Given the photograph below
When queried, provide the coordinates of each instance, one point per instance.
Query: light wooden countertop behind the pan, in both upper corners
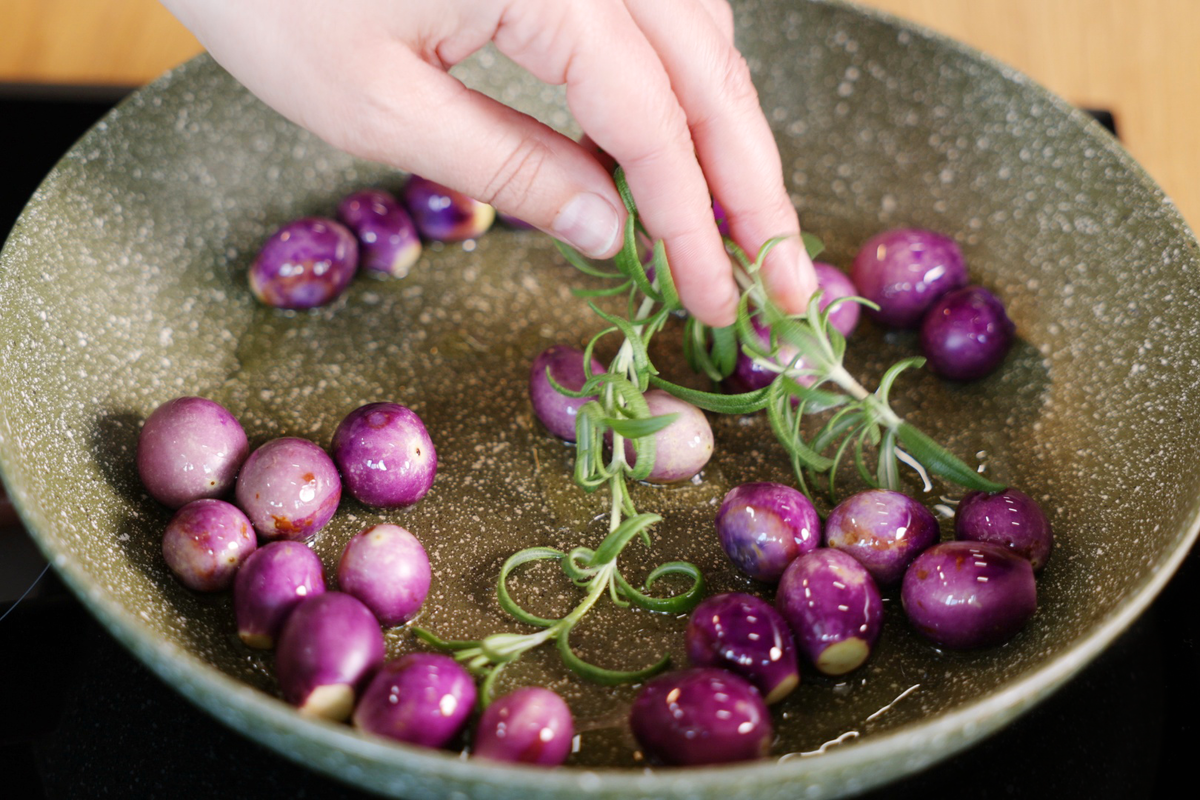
(1137, 58)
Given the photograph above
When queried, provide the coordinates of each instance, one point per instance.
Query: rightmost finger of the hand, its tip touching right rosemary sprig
(734, 141)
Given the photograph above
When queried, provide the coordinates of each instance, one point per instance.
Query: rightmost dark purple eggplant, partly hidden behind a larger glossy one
(1011, 519)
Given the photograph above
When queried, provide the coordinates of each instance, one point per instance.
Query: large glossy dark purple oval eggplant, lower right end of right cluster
(968, 596)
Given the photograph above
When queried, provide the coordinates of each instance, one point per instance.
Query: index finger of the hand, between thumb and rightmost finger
(622, 97)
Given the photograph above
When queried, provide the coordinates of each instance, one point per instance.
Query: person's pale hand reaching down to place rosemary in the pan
(657, 85)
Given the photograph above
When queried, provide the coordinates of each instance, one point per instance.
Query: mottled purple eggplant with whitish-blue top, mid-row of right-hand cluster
(884, 531)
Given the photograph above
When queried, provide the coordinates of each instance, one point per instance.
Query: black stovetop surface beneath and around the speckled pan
(80, 717)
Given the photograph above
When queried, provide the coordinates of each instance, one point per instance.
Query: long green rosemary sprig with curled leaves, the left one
(603, 425)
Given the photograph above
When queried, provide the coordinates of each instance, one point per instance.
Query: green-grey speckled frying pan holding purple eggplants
(124, 285)
